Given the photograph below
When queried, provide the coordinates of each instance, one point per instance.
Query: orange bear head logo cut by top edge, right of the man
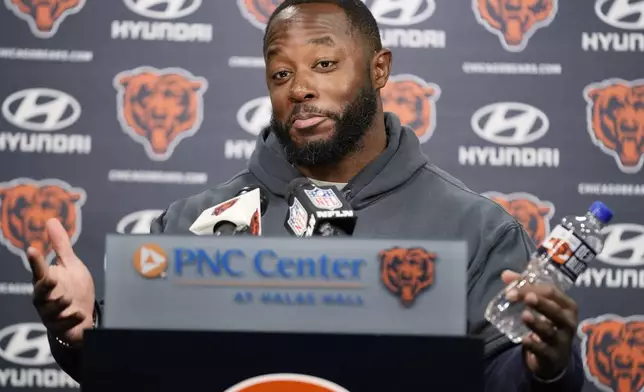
(514, 21)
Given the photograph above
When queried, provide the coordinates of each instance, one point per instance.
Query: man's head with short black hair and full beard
(324, 67)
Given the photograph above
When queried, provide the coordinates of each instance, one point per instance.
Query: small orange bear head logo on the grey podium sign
(407, 272)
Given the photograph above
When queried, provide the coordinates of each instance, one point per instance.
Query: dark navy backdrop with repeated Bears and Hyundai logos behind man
(538, 103)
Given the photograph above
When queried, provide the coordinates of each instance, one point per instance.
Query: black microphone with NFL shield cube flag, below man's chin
(318, 211)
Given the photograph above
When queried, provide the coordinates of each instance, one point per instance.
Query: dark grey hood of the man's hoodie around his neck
(400, 160)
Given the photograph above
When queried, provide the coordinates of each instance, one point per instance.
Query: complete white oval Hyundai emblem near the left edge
(41, 109)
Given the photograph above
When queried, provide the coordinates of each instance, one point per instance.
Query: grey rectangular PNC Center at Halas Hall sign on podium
(338, 285)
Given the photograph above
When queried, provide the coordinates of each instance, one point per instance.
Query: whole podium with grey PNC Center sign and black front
(261, 314)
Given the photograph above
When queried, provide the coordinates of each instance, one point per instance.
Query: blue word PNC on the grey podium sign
(219, 264)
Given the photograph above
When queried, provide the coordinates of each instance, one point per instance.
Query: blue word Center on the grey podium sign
(269, 265)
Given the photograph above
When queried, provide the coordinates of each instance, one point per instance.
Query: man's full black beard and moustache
(347, 138)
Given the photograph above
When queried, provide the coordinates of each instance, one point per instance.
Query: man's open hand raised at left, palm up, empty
(63, 293)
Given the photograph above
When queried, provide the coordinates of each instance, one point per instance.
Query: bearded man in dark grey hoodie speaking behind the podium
(324, 69)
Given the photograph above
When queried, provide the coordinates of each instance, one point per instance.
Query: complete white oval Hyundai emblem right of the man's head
(510, 123)
